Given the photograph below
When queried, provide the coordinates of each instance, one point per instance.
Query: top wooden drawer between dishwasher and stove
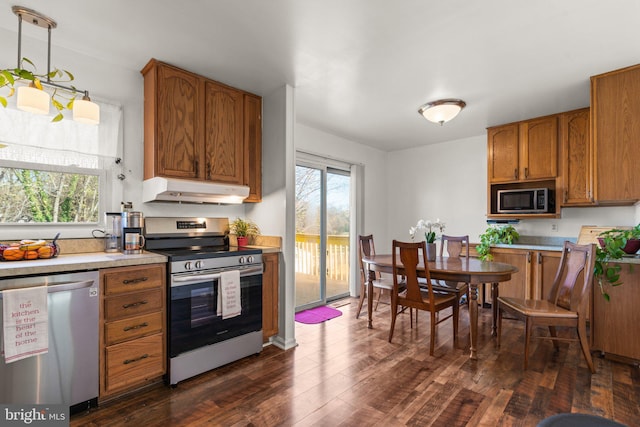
(133, 279)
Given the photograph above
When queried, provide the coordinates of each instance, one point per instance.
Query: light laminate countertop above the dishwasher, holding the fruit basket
(76, 262)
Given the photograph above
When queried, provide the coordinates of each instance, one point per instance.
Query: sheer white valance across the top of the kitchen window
(27, 129)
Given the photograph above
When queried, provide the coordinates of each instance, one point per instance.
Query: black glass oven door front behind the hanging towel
(193, 322)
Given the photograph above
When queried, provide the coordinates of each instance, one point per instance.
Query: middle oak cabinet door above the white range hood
(224, 142)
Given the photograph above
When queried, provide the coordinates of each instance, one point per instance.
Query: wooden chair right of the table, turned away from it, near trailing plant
(565, 306)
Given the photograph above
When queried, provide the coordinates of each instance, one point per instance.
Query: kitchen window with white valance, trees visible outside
(57, 177)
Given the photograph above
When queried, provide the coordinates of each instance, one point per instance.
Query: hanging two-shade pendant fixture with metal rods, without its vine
(34, 99)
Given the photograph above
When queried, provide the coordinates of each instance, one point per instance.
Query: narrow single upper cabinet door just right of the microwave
(577, 179)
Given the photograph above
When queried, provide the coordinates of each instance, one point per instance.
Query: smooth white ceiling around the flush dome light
(361, 68)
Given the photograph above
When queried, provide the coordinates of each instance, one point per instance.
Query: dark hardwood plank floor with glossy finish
(343, 374)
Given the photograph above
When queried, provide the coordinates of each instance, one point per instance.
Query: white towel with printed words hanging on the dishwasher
(26, 323)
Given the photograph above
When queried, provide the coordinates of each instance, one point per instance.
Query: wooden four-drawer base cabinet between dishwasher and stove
(133, 318)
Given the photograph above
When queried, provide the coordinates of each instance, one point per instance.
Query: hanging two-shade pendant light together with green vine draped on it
(33, 98)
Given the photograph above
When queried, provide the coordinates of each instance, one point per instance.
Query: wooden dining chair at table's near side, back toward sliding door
(406, 258)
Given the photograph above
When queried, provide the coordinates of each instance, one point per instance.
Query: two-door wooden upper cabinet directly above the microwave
(524, 151)
